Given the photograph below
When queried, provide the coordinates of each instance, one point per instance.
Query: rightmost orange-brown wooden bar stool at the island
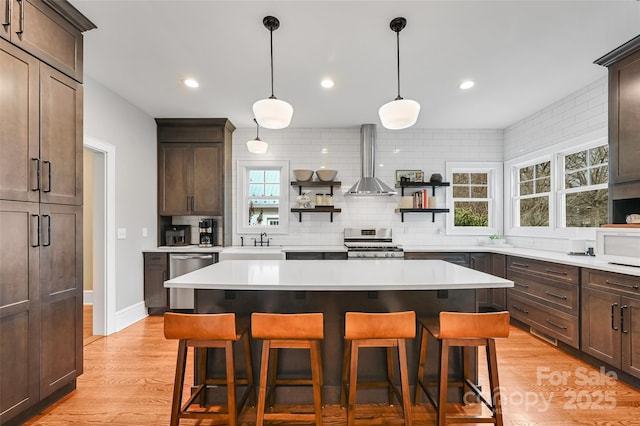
(465, 330)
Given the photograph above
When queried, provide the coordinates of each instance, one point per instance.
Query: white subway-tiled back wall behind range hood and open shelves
(421, 149)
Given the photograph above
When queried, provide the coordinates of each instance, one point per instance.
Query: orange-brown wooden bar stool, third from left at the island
(377, 330)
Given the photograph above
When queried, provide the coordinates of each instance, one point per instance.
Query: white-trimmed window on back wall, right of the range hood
(476, 198)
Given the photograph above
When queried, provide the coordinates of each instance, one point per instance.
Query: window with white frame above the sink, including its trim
(262, 196)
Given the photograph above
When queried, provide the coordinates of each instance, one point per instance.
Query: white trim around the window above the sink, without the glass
(243, 167)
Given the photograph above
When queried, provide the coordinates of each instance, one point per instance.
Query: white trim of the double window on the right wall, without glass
(591, 139)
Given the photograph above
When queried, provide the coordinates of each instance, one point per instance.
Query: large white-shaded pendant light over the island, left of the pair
(272, 113)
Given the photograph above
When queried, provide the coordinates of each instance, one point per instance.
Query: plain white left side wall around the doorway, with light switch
(111, 119)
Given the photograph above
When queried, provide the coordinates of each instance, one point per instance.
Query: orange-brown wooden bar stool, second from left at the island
(288, 331)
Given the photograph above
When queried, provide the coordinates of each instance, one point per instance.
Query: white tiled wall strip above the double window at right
(577, 114)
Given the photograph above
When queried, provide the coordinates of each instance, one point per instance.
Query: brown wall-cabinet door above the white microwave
(624, 120)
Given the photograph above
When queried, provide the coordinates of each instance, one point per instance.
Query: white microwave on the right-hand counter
(620, 245)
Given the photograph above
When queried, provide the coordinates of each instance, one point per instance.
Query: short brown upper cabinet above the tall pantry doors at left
(38, 26)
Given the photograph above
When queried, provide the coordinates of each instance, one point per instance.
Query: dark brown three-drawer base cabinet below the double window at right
(545, 297)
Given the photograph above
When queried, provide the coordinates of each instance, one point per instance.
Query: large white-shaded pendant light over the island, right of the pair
(399, 113)
